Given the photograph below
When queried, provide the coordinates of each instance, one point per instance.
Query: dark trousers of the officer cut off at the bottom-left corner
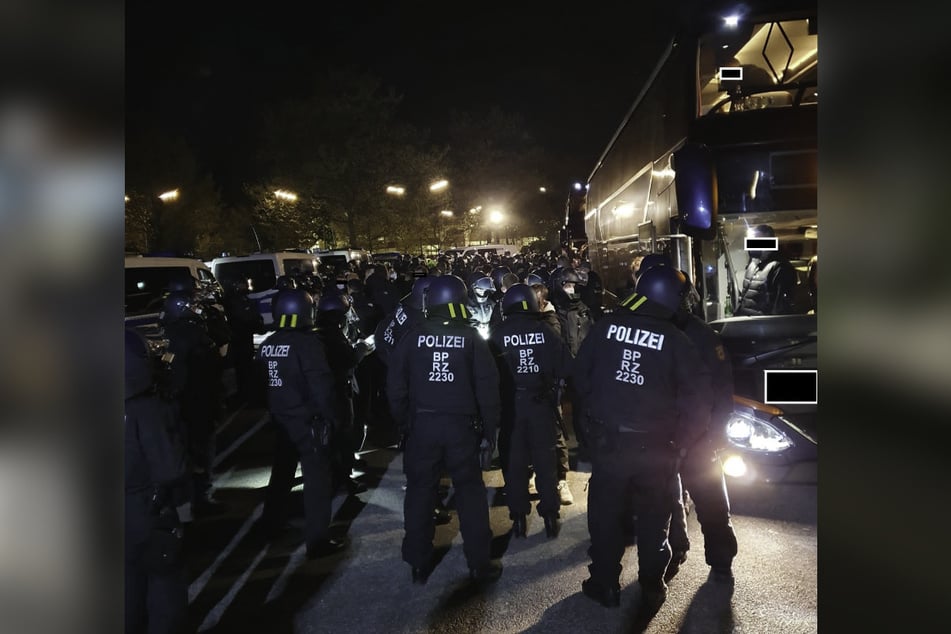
(155, 603)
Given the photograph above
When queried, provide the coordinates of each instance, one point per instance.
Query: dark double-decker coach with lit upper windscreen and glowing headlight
(721, 138)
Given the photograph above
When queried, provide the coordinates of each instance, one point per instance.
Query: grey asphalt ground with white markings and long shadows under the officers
(241, 583)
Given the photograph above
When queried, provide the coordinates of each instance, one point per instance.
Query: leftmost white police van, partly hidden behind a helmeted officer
(146, 283)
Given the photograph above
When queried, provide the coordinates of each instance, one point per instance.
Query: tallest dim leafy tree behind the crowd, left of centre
(341, 147)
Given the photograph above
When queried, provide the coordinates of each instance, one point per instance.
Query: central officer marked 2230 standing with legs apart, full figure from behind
(443, 388)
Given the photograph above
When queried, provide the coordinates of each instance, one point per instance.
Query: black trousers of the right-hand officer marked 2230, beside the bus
(625, 476)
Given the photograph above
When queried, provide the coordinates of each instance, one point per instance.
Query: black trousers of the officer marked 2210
(531, 441)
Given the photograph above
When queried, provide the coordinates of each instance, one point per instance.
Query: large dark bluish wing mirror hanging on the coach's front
(696, 187)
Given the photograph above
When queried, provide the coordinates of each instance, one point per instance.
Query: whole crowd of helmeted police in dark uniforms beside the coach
(469, 363)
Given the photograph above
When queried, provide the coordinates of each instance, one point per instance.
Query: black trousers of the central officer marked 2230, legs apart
(436, 442)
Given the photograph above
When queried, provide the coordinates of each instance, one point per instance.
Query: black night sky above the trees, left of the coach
(572, 71)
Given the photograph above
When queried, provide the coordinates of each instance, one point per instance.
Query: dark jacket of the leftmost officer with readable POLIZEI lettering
(300, 383)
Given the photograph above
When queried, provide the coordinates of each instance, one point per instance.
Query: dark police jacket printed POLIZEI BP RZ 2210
(532, 355)
